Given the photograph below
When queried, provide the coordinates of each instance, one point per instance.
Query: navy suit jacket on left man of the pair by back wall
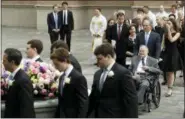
(51, 22)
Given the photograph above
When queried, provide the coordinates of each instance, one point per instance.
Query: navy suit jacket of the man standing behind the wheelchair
(154, 44)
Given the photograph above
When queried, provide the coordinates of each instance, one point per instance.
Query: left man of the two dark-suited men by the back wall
(54, 24)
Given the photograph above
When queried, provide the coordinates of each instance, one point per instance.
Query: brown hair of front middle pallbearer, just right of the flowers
(61, 55)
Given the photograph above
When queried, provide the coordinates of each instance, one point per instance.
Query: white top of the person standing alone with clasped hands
(98, 25)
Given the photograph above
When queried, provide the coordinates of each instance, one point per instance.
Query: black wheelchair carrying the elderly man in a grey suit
(153, 92)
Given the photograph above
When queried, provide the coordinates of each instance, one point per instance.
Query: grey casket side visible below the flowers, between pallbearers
(43, 108)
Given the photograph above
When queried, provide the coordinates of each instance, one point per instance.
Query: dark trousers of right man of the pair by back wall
(66, 33)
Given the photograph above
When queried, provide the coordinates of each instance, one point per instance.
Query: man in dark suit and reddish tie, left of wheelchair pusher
(119, 33)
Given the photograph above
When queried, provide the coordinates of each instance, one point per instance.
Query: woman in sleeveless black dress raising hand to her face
(172, 61)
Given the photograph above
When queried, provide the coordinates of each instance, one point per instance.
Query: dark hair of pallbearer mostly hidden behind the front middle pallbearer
(59, 44)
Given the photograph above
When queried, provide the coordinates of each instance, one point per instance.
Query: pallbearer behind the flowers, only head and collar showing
(34, 49)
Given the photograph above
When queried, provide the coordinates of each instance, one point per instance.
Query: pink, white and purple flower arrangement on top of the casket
(42, 75)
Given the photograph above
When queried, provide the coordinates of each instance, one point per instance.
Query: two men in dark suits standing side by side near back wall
(60, 23)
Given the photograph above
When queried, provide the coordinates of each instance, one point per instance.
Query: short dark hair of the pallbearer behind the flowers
(34, 43)
